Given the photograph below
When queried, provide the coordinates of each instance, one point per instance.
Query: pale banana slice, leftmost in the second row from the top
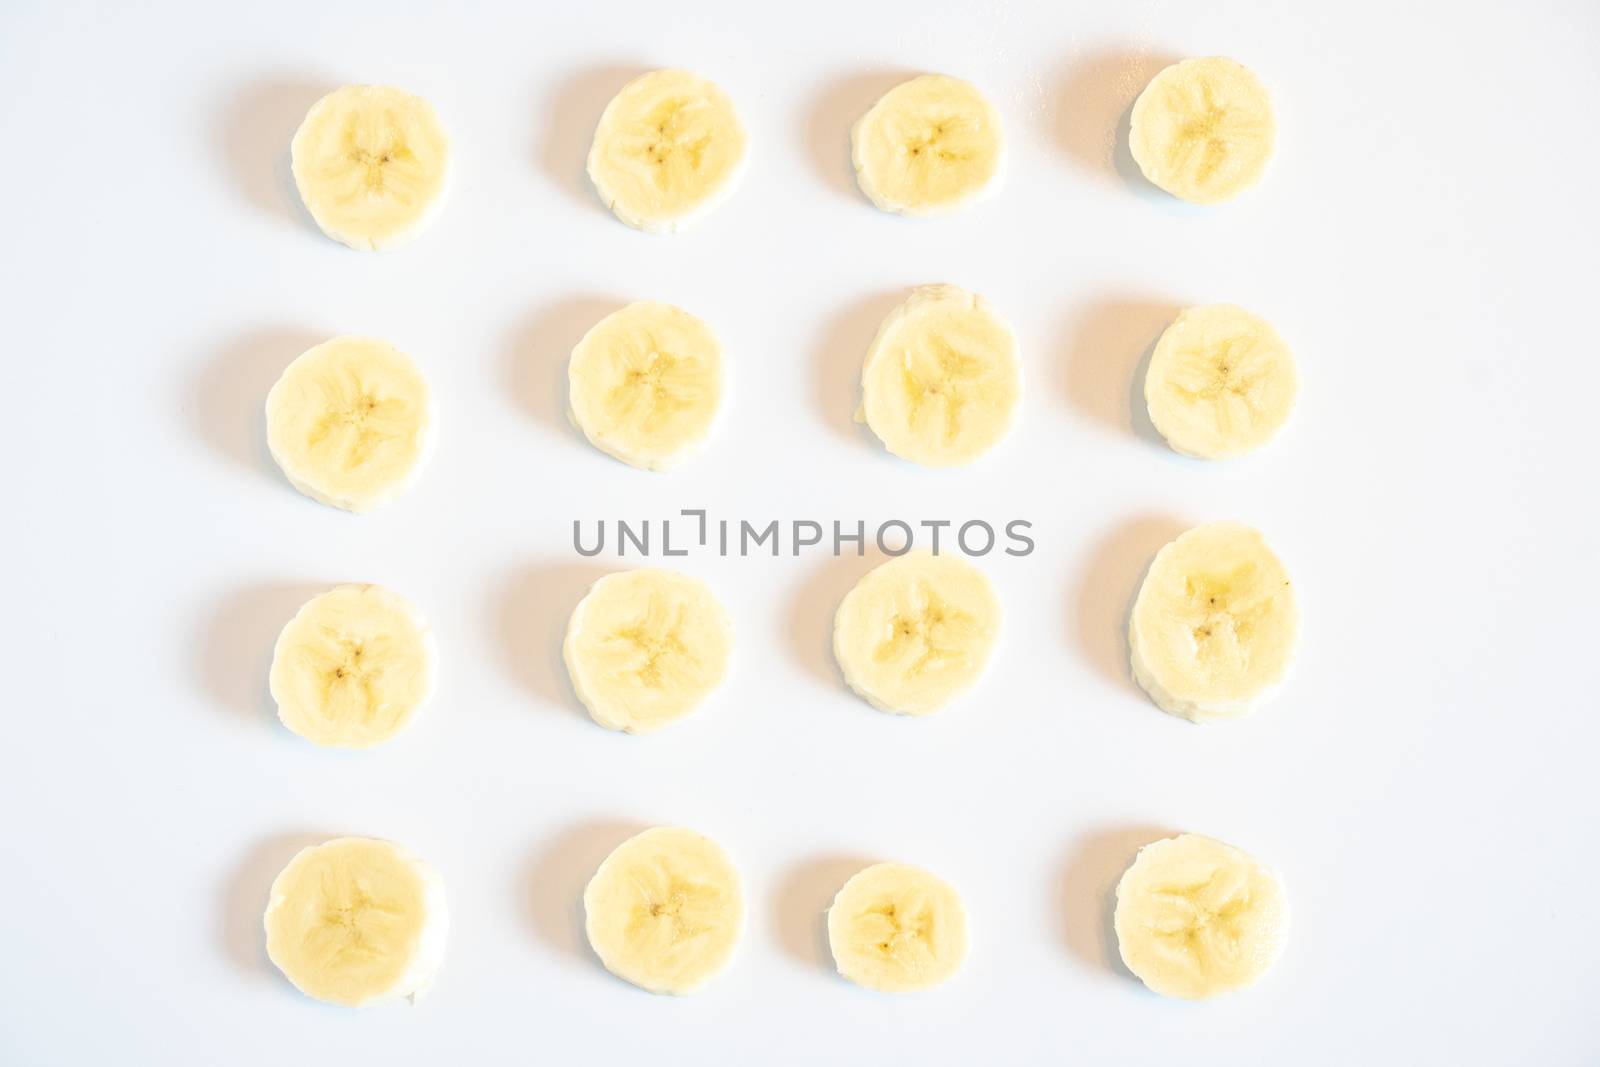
(351, 423)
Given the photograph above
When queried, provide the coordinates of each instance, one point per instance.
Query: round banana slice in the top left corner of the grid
(372, 166)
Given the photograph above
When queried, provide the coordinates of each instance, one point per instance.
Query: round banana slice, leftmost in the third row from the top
(353, 668)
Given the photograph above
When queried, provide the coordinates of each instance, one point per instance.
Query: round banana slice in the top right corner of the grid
(1204, 130)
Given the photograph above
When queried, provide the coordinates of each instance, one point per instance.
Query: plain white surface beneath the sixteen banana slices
(1426, 239)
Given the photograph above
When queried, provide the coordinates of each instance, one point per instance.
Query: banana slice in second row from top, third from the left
(942, 380)
